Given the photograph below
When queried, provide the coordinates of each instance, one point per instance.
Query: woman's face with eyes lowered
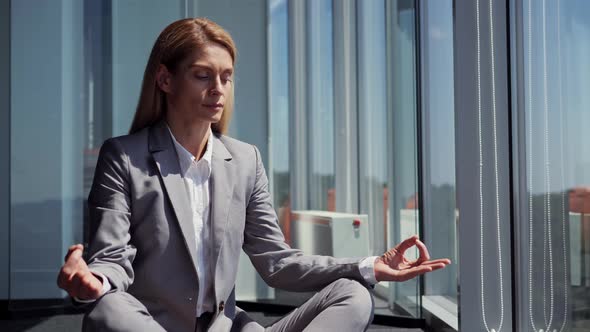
(201, 85)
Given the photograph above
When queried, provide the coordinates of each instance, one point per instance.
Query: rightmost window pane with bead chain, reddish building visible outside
(556, 42)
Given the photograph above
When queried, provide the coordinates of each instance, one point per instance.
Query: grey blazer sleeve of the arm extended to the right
(279, 265)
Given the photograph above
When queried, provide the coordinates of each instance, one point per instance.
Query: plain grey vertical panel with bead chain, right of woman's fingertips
(483, 160)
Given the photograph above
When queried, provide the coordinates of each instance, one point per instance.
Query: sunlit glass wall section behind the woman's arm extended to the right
(372, 76)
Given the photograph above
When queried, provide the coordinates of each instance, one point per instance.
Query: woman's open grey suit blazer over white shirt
(142, 237)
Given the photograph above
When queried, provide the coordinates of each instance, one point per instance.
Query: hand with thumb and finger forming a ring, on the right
(393, 266)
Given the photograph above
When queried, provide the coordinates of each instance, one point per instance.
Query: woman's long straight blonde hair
(174, 44)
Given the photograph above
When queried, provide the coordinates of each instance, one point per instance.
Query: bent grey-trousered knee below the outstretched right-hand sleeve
(357, 298)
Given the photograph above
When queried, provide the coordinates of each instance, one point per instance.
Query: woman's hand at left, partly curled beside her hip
(75, 277)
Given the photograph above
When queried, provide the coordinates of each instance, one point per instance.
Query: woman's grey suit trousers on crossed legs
(344, 305)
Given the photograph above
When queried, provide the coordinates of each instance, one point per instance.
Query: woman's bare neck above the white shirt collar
(193, 136)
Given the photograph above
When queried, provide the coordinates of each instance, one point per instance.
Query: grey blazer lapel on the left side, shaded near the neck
(162, 148)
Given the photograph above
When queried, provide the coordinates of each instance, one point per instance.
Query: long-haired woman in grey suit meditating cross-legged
(174, 202)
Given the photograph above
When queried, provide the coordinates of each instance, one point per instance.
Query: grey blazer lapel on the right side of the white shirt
(222, 186)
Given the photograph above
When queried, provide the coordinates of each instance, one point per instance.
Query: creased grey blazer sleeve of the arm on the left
(109, 204)
